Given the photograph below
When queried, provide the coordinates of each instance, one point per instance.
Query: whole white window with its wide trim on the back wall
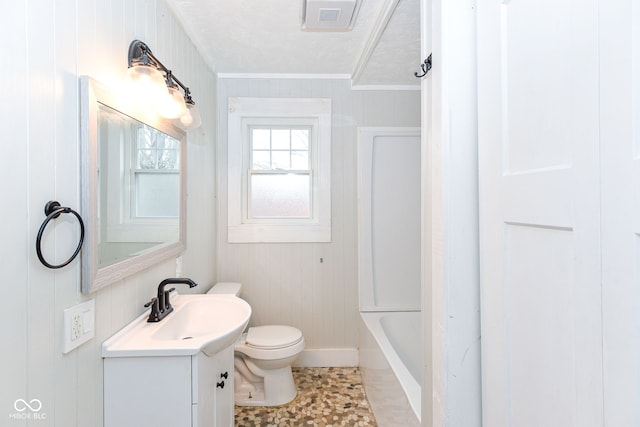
(279, 170)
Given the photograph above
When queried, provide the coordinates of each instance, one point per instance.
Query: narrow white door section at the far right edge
(620, 158)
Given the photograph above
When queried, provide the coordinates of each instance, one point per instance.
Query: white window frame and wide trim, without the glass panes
(247, 113)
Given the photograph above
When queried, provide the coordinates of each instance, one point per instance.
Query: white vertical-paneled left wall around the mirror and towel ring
(46, 46)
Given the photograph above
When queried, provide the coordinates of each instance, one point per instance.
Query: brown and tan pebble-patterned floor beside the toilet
(327, 397)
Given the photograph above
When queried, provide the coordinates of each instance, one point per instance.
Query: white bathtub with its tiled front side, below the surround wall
(390, 364)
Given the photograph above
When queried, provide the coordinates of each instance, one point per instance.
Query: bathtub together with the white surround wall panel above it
(389, 268)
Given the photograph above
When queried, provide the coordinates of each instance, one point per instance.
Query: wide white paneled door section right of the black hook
(539, 177)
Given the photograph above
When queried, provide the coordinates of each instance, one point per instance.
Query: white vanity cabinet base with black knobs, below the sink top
(169, 391)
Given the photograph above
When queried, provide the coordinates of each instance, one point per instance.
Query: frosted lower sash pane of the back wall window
(280, 196)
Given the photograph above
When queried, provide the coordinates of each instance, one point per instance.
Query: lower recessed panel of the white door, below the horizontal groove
(539, 295)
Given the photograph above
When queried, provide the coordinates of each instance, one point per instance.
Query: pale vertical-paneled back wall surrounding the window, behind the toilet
(312, 286)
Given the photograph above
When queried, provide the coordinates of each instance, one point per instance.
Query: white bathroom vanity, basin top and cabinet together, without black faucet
(176, 372)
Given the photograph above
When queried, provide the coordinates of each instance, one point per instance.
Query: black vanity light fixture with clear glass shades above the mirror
(156, 85)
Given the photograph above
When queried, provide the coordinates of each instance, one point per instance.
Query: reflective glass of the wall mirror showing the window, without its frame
(141, 191)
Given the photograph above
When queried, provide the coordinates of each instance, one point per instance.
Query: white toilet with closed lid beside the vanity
(263, 357)
